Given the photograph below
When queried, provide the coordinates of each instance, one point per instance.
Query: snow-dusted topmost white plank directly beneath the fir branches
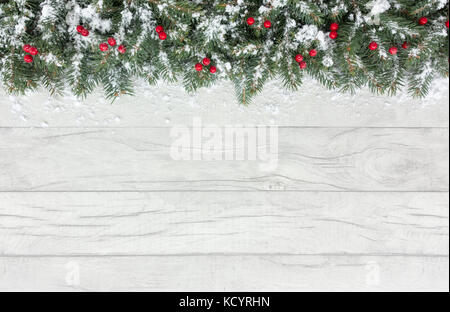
(162, 104)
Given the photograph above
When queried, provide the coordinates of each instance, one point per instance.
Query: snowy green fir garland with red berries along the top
(78, 45)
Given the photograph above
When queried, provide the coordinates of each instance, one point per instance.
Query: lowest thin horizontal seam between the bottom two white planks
(181, 255)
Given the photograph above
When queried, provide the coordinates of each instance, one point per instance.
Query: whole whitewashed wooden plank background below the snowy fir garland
(90, 199)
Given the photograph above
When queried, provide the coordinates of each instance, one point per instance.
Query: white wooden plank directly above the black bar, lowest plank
(219, 273)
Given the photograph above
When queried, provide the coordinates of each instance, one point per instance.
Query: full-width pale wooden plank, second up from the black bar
(306, 223)
